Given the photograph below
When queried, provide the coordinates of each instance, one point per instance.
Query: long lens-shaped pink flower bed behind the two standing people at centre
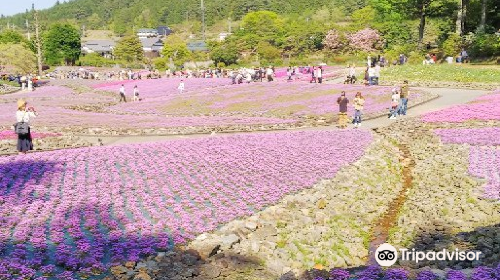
(278, 99)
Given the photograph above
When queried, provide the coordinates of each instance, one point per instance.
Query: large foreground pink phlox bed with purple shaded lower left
(88, 208)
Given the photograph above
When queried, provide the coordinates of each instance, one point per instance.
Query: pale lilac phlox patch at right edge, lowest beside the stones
(484, 162)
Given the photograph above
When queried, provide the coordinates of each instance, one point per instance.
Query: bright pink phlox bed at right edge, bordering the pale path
(483, 108)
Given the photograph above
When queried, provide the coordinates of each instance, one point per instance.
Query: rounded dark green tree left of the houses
(62, 44)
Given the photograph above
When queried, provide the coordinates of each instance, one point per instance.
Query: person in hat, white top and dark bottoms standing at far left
(23, 116)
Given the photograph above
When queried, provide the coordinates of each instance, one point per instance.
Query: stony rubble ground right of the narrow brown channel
(445, 208)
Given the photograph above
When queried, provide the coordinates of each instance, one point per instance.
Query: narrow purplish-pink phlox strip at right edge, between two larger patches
(473, 136)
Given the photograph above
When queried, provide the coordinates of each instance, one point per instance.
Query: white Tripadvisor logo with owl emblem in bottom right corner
(387, 255)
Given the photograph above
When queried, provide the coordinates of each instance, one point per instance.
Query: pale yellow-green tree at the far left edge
(17, 58)
